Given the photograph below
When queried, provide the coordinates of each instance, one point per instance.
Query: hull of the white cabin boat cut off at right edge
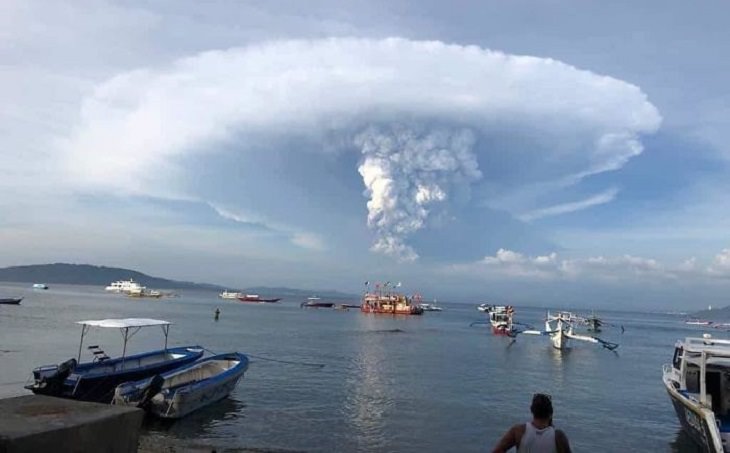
(696, 422)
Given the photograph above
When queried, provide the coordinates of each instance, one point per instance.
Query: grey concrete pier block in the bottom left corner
(37, 423)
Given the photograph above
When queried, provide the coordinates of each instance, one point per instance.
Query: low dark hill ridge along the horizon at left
(87, 274)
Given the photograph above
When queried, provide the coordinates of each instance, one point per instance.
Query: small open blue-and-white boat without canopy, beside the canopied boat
(177, 393)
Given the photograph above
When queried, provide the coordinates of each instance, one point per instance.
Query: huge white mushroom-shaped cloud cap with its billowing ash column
(136, 128)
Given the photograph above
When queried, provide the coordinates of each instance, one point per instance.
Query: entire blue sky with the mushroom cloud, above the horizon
(544, 152)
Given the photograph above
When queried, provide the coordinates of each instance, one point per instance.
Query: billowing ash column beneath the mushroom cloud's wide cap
(409, 175)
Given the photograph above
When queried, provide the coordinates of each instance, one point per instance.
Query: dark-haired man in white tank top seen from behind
(537, 436)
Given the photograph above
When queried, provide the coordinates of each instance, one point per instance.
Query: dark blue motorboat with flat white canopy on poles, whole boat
(96, 380)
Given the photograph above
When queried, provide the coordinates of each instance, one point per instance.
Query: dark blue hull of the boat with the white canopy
(96, 381)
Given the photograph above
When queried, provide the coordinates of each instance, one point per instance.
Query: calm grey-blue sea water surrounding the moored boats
(421, 383)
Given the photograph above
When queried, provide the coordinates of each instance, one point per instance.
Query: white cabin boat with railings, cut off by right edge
(698, 383)
